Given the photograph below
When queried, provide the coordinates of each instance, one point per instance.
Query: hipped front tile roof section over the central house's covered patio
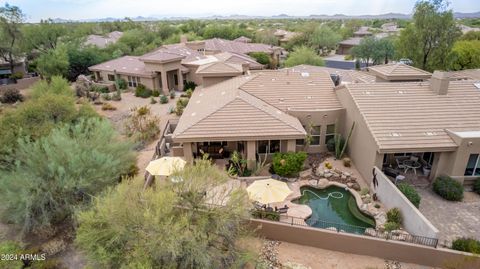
(234, 114)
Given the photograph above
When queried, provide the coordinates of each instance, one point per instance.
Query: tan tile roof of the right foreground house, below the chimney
(410, 116)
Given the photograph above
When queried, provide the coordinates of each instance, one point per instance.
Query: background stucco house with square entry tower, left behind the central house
(170, 66)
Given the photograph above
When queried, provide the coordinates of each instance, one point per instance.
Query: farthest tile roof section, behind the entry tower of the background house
(222, 45)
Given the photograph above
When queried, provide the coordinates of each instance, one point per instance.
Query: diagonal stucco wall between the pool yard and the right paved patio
(413, 221)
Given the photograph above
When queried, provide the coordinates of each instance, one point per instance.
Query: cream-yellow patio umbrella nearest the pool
(268, 191)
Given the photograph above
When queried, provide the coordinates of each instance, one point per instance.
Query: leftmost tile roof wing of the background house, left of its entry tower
(128, 65)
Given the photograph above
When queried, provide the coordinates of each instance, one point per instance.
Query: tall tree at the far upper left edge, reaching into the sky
(11, 19)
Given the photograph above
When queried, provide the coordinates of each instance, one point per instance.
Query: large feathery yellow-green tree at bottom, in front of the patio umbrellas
(193, 223)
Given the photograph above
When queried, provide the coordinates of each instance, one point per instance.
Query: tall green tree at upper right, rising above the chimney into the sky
(429, 39)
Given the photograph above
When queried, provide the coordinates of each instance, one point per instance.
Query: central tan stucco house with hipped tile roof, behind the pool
(259, 114)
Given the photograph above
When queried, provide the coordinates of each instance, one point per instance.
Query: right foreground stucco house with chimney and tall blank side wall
(435, 121)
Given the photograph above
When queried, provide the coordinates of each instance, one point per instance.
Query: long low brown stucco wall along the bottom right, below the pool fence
(362, 245)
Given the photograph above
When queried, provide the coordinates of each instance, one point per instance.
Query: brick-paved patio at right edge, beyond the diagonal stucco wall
(452, 219)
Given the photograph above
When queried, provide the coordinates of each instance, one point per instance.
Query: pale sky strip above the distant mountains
(87, 9)
